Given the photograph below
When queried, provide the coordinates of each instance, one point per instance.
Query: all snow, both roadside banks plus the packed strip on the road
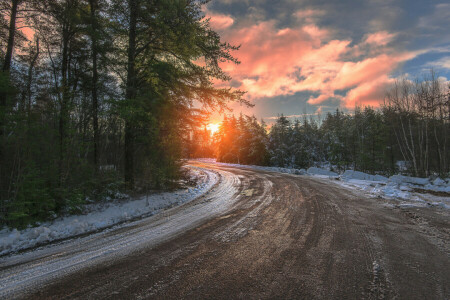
(33, 269)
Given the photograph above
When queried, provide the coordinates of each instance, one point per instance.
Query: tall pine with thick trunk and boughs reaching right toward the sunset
(165, 40)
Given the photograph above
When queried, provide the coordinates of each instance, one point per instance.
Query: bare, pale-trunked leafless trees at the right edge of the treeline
(418, 112)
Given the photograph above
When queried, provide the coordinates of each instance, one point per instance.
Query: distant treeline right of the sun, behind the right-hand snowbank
(410, 133)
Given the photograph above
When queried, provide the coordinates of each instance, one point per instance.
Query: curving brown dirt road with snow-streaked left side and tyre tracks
(256, 234)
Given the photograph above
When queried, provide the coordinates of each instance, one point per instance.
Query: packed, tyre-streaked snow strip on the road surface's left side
(33, 269)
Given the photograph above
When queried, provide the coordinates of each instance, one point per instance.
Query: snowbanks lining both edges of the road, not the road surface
(103, 216)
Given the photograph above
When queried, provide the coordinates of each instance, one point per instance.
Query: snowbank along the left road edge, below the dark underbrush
(105, 215)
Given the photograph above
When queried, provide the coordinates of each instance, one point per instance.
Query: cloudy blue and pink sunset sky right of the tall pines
(303, 57)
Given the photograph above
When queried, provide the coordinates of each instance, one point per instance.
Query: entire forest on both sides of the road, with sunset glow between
(100, 96)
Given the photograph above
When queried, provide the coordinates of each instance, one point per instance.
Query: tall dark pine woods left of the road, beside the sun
(100, 94)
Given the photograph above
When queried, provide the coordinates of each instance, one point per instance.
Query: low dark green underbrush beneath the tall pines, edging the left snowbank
(37, 200)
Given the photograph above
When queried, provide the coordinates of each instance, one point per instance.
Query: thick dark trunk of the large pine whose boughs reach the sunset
(130, 93)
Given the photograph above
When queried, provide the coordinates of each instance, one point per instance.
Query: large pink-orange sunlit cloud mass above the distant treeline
(284, 61)
